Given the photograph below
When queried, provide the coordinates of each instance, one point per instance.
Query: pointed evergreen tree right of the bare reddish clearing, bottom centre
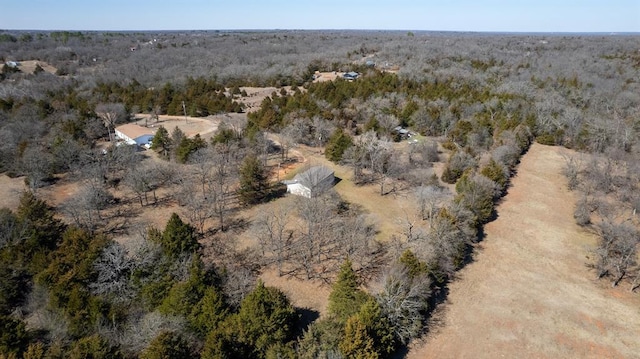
(346, 297)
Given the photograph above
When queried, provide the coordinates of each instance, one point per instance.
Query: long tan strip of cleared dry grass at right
(529, 293)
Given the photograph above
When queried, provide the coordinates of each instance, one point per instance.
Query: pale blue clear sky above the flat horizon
(444, 15)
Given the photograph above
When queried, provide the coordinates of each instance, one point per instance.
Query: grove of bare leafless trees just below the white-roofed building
(308, 238)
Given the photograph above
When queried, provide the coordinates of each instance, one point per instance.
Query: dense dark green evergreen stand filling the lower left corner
(84, 295)
